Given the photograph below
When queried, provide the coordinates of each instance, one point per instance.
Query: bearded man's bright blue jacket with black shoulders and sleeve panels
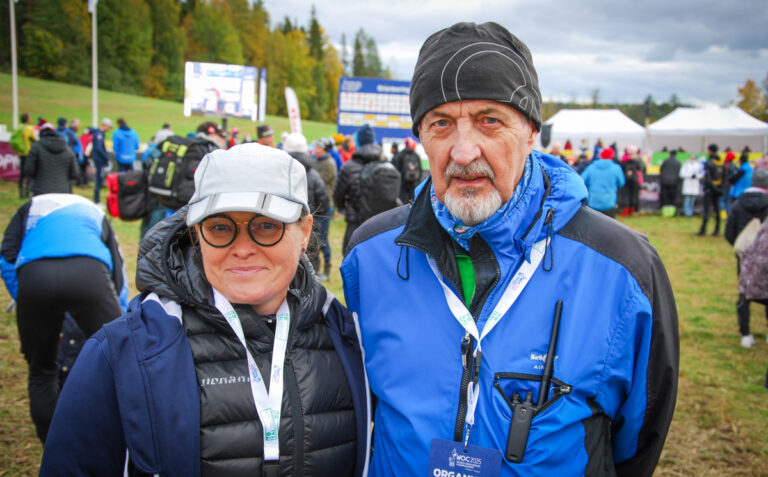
(617, 346)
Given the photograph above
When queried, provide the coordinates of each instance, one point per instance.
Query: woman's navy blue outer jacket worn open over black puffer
(134, 385)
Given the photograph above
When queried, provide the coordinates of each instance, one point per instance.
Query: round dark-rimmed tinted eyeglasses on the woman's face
(220, 230)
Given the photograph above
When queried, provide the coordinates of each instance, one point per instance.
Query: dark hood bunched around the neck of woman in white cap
(170, 265)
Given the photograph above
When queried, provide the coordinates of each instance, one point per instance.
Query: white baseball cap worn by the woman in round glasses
(249, 178)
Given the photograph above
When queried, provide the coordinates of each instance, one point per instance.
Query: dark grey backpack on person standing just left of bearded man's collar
(379, 189)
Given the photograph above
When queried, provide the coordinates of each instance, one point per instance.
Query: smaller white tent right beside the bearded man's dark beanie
(591, 125)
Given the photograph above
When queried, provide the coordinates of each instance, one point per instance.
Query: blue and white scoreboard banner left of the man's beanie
(381, 103)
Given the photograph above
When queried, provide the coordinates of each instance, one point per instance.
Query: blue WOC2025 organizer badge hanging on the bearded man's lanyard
(449, 459)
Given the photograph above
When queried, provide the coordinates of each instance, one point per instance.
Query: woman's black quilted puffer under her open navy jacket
(317, 427)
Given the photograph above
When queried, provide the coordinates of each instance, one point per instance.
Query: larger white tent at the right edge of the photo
(694, 128)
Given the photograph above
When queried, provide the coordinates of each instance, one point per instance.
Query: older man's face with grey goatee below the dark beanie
(477, 151)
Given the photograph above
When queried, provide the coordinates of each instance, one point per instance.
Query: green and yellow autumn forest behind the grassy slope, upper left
(143, 44)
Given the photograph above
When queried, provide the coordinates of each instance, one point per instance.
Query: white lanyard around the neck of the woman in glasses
(268, 405)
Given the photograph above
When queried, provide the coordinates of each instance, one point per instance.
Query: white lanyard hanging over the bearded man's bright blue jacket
(464, 317)
